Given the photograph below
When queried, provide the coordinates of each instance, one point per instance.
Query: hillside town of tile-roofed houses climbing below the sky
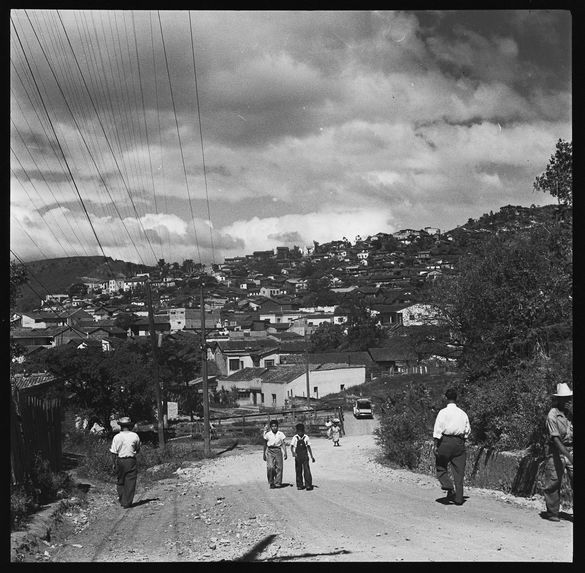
(260, 310)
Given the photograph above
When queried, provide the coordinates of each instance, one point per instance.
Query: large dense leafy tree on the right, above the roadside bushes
(507, 297)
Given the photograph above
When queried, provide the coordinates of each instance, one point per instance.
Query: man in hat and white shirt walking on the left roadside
(125, 446)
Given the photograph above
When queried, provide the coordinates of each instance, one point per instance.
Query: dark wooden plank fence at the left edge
(35, 428)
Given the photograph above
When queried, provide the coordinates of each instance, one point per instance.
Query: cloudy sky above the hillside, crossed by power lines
(315, 126)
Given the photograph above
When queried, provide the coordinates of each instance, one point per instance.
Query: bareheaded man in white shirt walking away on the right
(449, 434)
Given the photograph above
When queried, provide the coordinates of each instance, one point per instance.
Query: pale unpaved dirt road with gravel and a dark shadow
(222, 509)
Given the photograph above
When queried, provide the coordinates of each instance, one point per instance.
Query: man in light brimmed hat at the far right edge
(559, 451)
